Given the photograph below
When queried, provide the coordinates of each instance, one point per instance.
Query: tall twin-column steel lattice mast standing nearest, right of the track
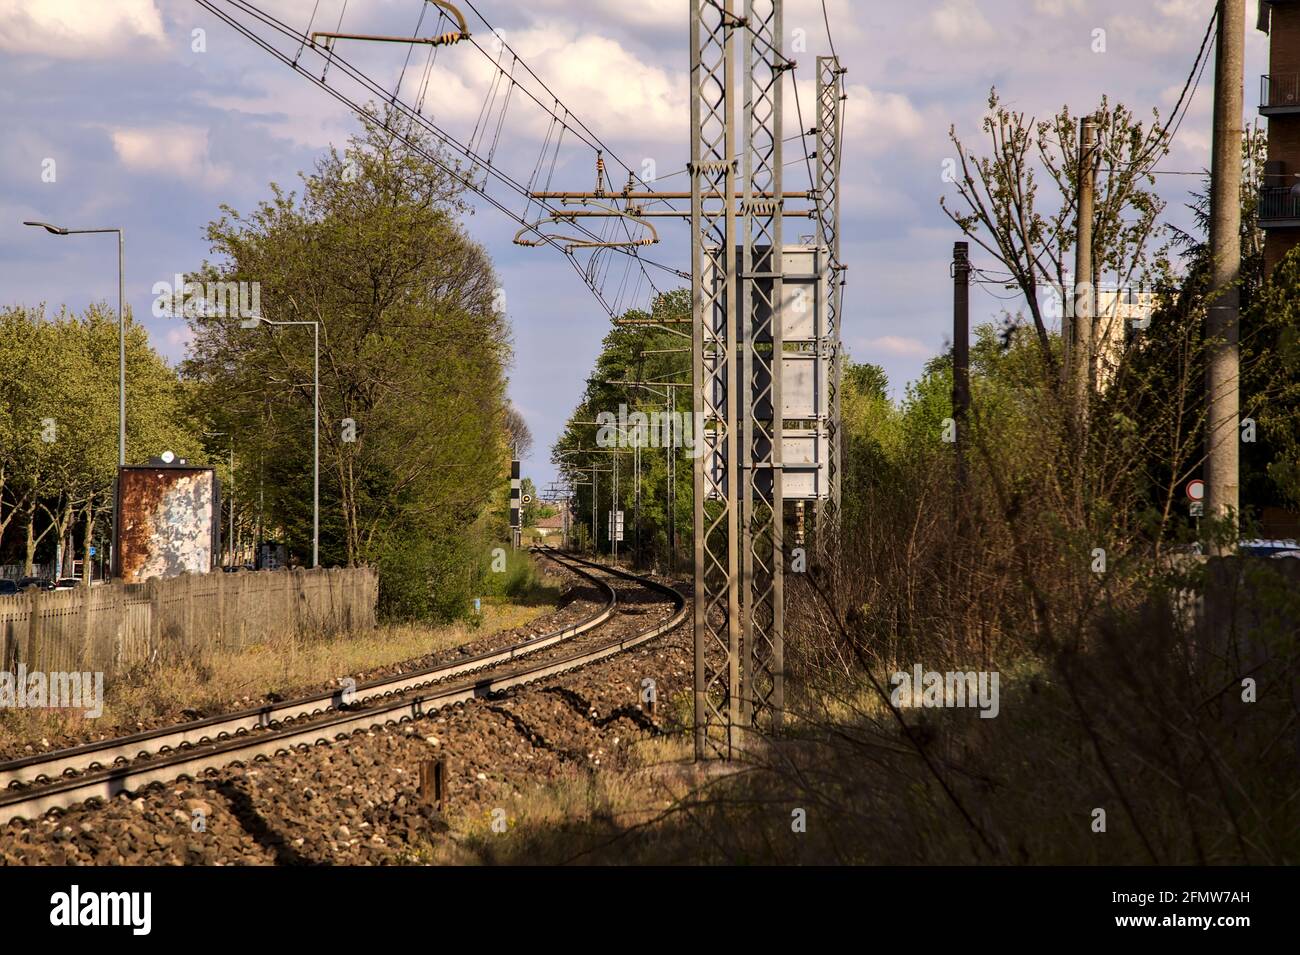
(736, 286)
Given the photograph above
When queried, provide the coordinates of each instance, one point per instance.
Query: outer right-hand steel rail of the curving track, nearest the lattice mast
(105, 784)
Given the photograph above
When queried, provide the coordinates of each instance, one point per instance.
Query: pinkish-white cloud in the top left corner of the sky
(77, 29)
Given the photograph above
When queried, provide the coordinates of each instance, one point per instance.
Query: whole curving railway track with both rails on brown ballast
(103, 770)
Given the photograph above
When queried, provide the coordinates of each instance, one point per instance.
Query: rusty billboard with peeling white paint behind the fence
(168, 522)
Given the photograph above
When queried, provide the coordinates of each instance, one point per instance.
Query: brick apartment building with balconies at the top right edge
(1280, 102)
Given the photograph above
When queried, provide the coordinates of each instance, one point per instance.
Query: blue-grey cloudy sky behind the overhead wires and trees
(149, 115)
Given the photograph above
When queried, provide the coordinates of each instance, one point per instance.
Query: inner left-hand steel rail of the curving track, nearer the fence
(47, 766)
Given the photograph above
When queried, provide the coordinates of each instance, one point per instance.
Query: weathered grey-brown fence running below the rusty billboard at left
(115, 627)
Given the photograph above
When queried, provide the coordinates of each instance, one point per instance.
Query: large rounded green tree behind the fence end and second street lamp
(415, 426)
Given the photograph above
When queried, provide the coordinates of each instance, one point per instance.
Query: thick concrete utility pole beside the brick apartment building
(1221, 325)
